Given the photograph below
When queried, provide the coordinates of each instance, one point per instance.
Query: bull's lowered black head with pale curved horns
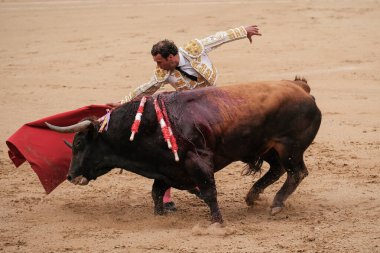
(87, 155)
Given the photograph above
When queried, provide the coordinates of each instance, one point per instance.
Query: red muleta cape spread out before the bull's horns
(44, 149)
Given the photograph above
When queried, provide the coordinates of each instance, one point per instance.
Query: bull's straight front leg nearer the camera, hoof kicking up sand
(200, 167)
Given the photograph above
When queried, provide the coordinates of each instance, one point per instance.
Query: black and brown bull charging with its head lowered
(265, 121)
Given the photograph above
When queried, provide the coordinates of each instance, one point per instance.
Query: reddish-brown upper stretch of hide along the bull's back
(229, 106)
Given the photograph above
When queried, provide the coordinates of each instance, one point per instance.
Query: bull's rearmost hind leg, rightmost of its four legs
(296, 170)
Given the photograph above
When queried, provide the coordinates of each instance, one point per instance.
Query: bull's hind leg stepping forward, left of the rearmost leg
(273, 174)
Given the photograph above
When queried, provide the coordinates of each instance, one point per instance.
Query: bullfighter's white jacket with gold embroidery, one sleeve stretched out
(195, 51)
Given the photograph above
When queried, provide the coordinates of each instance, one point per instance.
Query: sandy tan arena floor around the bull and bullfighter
(60, 55)
